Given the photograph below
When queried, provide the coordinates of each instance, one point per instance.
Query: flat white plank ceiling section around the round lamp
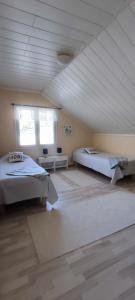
(33, 31)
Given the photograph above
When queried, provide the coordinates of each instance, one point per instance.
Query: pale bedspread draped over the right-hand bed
(101, 163)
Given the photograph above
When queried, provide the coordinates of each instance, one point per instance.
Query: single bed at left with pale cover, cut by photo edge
(24, 180)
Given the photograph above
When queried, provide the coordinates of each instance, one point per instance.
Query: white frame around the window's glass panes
(37, 129)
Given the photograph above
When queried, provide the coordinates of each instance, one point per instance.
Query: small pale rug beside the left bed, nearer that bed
(60, 184)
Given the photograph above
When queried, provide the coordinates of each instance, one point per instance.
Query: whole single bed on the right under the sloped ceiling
(115, 167)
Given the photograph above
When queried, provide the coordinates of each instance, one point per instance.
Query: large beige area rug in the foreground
(61, 231)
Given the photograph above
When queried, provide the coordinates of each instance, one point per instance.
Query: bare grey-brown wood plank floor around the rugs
(101, 271)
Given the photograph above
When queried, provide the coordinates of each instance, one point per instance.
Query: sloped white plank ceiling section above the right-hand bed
(99, 85)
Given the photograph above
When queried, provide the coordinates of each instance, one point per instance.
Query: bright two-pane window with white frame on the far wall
(35, 126)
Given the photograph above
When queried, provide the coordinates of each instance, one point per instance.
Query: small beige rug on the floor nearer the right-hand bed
(80, 178)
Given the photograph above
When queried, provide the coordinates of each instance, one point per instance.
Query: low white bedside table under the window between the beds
(53, 161)
